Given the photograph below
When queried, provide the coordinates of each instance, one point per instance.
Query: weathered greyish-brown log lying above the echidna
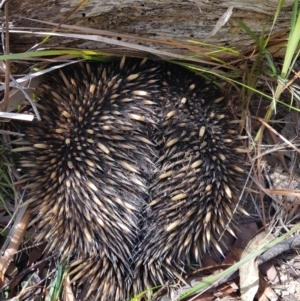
(177, 19)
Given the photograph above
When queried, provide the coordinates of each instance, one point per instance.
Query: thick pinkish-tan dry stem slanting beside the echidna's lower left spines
(14, 244)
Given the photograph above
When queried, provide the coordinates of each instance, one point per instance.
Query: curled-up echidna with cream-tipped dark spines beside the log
(133, 171)
